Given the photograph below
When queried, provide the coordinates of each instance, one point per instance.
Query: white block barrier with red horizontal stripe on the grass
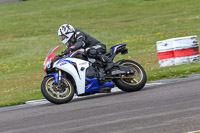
(178, 51)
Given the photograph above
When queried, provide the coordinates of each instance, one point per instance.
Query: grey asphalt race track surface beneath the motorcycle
(172, 107)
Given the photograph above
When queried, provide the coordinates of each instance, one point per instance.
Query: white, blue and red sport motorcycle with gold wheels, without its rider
(78, 74)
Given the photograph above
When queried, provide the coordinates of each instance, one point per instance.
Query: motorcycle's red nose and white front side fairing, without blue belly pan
(69, 65)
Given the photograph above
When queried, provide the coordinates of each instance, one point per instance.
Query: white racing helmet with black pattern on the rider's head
(65, 32)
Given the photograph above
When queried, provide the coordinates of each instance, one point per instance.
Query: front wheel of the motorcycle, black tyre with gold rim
(54, 94)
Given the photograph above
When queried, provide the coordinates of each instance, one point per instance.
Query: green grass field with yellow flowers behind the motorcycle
(29, 29)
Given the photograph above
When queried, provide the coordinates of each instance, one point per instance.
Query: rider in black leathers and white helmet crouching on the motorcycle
(75, 39)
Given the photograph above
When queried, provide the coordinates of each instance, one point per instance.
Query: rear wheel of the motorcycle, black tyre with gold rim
(131, 82)
